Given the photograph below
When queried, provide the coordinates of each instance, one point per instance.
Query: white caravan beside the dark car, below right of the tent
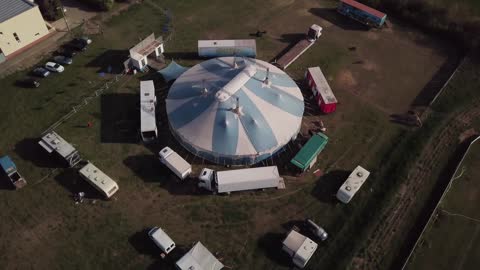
(299, 247)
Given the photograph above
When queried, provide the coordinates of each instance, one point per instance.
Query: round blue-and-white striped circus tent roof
(225, 107)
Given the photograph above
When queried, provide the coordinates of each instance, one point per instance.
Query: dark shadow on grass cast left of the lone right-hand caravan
(327, 186)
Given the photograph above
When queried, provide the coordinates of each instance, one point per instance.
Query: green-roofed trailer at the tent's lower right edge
(307, 156)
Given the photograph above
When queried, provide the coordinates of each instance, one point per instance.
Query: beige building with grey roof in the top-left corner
(21, 24)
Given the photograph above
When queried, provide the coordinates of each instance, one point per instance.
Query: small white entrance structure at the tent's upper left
(149, 49)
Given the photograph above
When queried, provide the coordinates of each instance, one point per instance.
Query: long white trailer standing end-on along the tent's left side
(148, 122)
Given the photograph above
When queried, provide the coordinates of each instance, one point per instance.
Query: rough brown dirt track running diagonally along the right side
(395, 216)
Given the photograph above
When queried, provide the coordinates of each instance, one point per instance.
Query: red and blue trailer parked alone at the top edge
(362, 13)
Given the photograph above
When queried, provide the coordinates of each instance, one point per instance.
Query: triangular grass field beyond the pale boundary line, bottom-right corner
(452, 238)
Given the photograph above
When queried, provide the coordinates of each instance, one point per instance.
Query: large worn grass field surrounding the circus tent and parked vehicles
(42, 228)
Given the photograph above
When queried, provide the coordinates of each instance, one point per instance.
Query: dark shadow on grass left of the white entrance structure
(110, 61)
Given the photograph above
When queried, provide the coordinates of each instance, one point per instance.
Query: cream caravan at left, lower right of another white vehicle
(99, 180)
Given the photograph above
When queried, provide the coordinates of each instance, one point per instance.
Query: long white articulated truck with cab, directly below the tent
(242, 179)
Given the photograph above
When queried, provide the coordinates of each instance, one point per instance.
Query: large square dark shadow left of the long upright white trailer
(120, 118)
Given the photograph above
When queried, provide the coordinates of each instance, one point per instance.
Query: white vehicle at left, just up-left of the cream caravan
(52, 142)
